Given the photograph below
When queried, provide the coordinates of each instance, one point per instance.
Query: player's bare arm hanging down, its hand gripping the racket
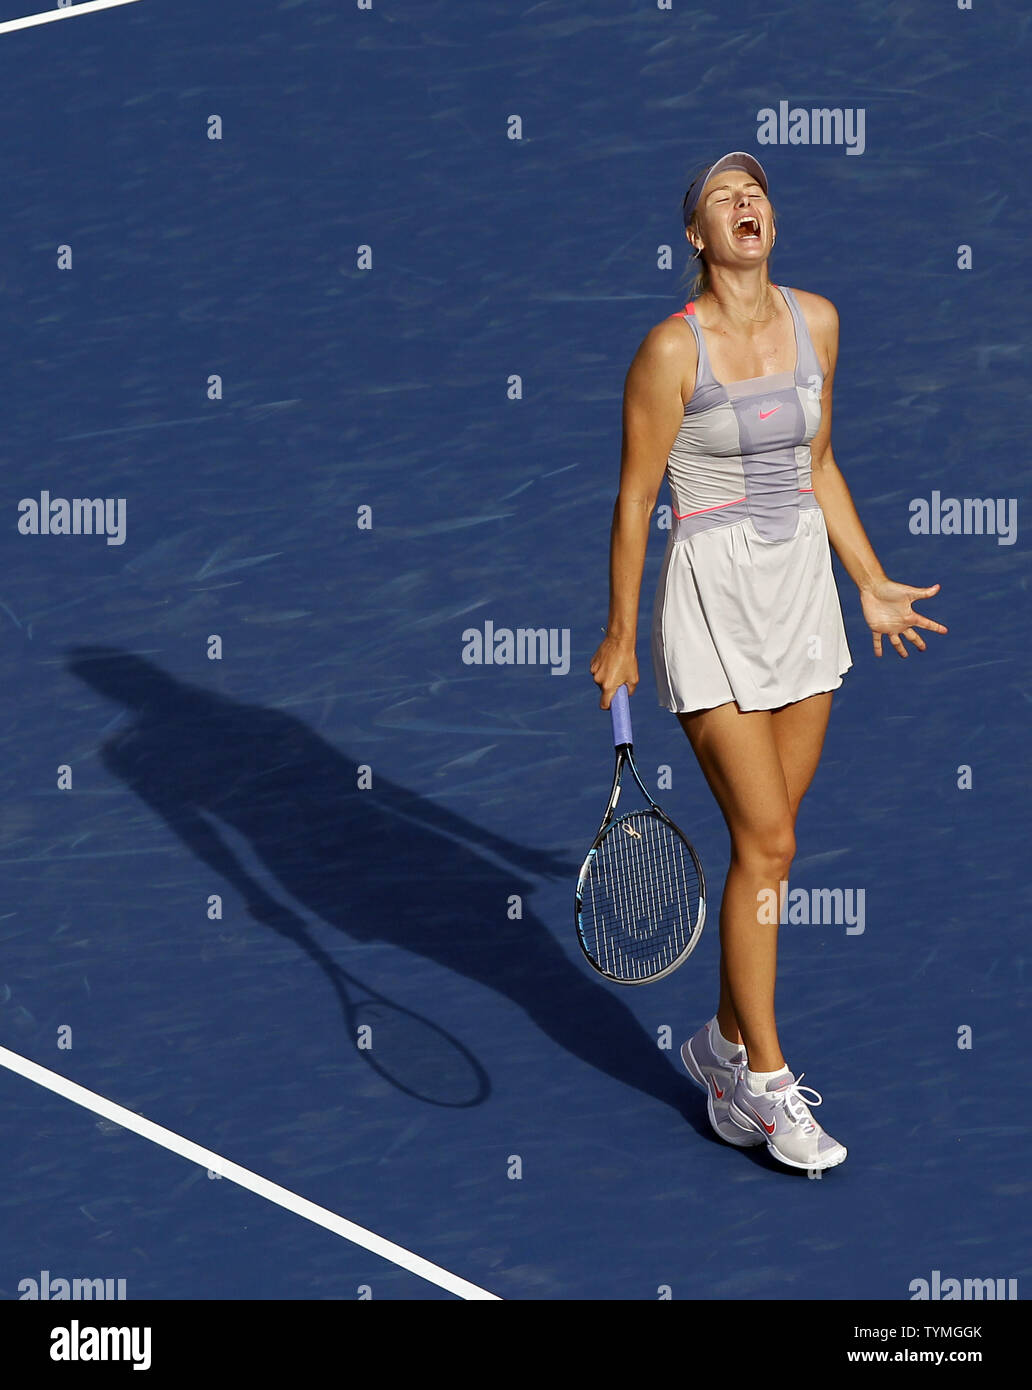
(653, 414)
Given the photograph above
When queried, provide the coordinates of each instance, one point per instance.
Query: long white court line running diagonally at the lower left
(243, 1177)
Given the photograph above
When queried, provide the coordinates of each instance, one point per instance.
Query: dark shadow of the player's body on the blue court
(380, 864)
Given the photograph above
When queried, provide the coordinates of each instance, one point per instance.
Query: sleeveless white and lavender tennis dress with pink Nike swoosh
(748, 608)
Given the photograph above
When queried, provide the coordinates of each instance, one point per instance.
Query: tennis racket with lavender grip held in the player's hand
(642, 897)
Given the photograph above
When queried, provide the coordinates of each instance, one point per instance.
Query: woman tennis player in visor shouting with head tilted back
(731, 400)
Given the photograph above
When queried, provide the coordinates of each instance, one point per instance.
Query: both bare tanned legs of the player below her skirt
(759, 767)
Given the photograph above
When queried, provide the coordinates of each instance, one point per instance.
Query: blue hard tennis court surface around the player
(348, 379)
